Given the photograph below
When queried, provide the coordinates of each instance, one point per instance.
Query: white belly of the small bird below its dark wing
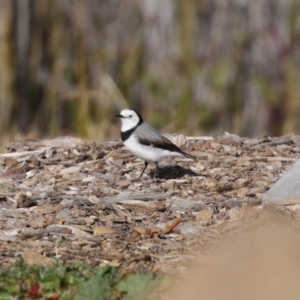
(147, 153)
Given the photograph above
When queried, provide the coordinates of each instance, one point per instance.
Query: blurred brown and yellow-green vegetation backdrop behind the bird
(193, 67)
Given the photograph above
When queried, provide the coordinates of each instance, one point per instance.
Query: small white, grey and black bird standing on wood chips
(145, 142)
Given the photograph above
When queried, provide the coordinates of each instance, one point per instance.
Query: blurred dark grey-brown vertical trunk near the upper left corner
(21, 35)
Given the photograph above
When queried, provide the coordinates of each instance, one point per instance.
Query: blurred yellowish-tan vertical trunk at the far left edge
(6, 66)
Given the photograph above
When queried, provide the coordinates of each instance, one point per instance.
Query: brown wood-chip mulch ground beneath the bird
(77, 201)
